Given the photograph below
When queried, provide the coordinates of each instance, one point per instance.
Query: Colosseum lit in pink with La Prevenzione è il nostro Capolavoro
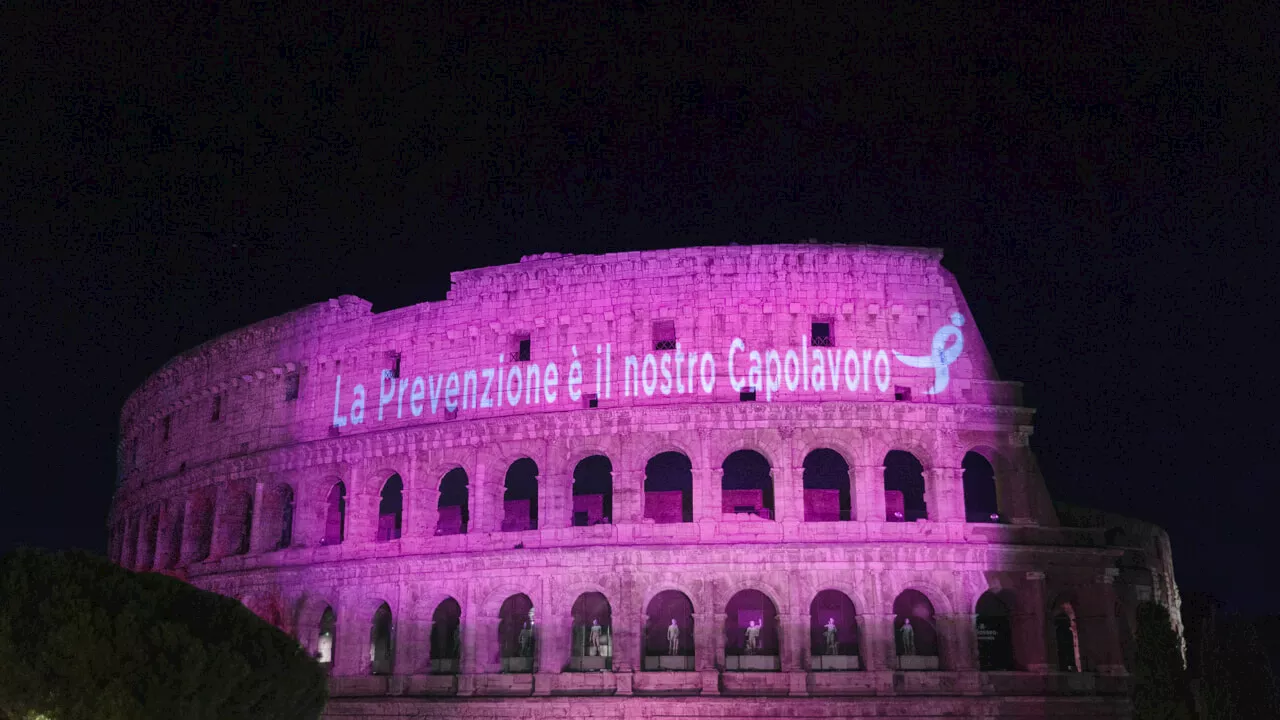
(716, 482)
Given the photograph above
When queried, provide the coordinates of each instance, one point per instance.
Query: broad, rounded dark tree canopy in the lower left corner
(81, 637)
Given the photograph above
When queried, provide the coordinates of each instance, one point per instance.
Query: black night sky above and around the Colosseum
(1104, 183)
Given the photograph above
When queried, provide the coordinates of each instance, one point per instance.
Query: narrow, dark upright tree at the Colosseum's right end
(1162, 691)
